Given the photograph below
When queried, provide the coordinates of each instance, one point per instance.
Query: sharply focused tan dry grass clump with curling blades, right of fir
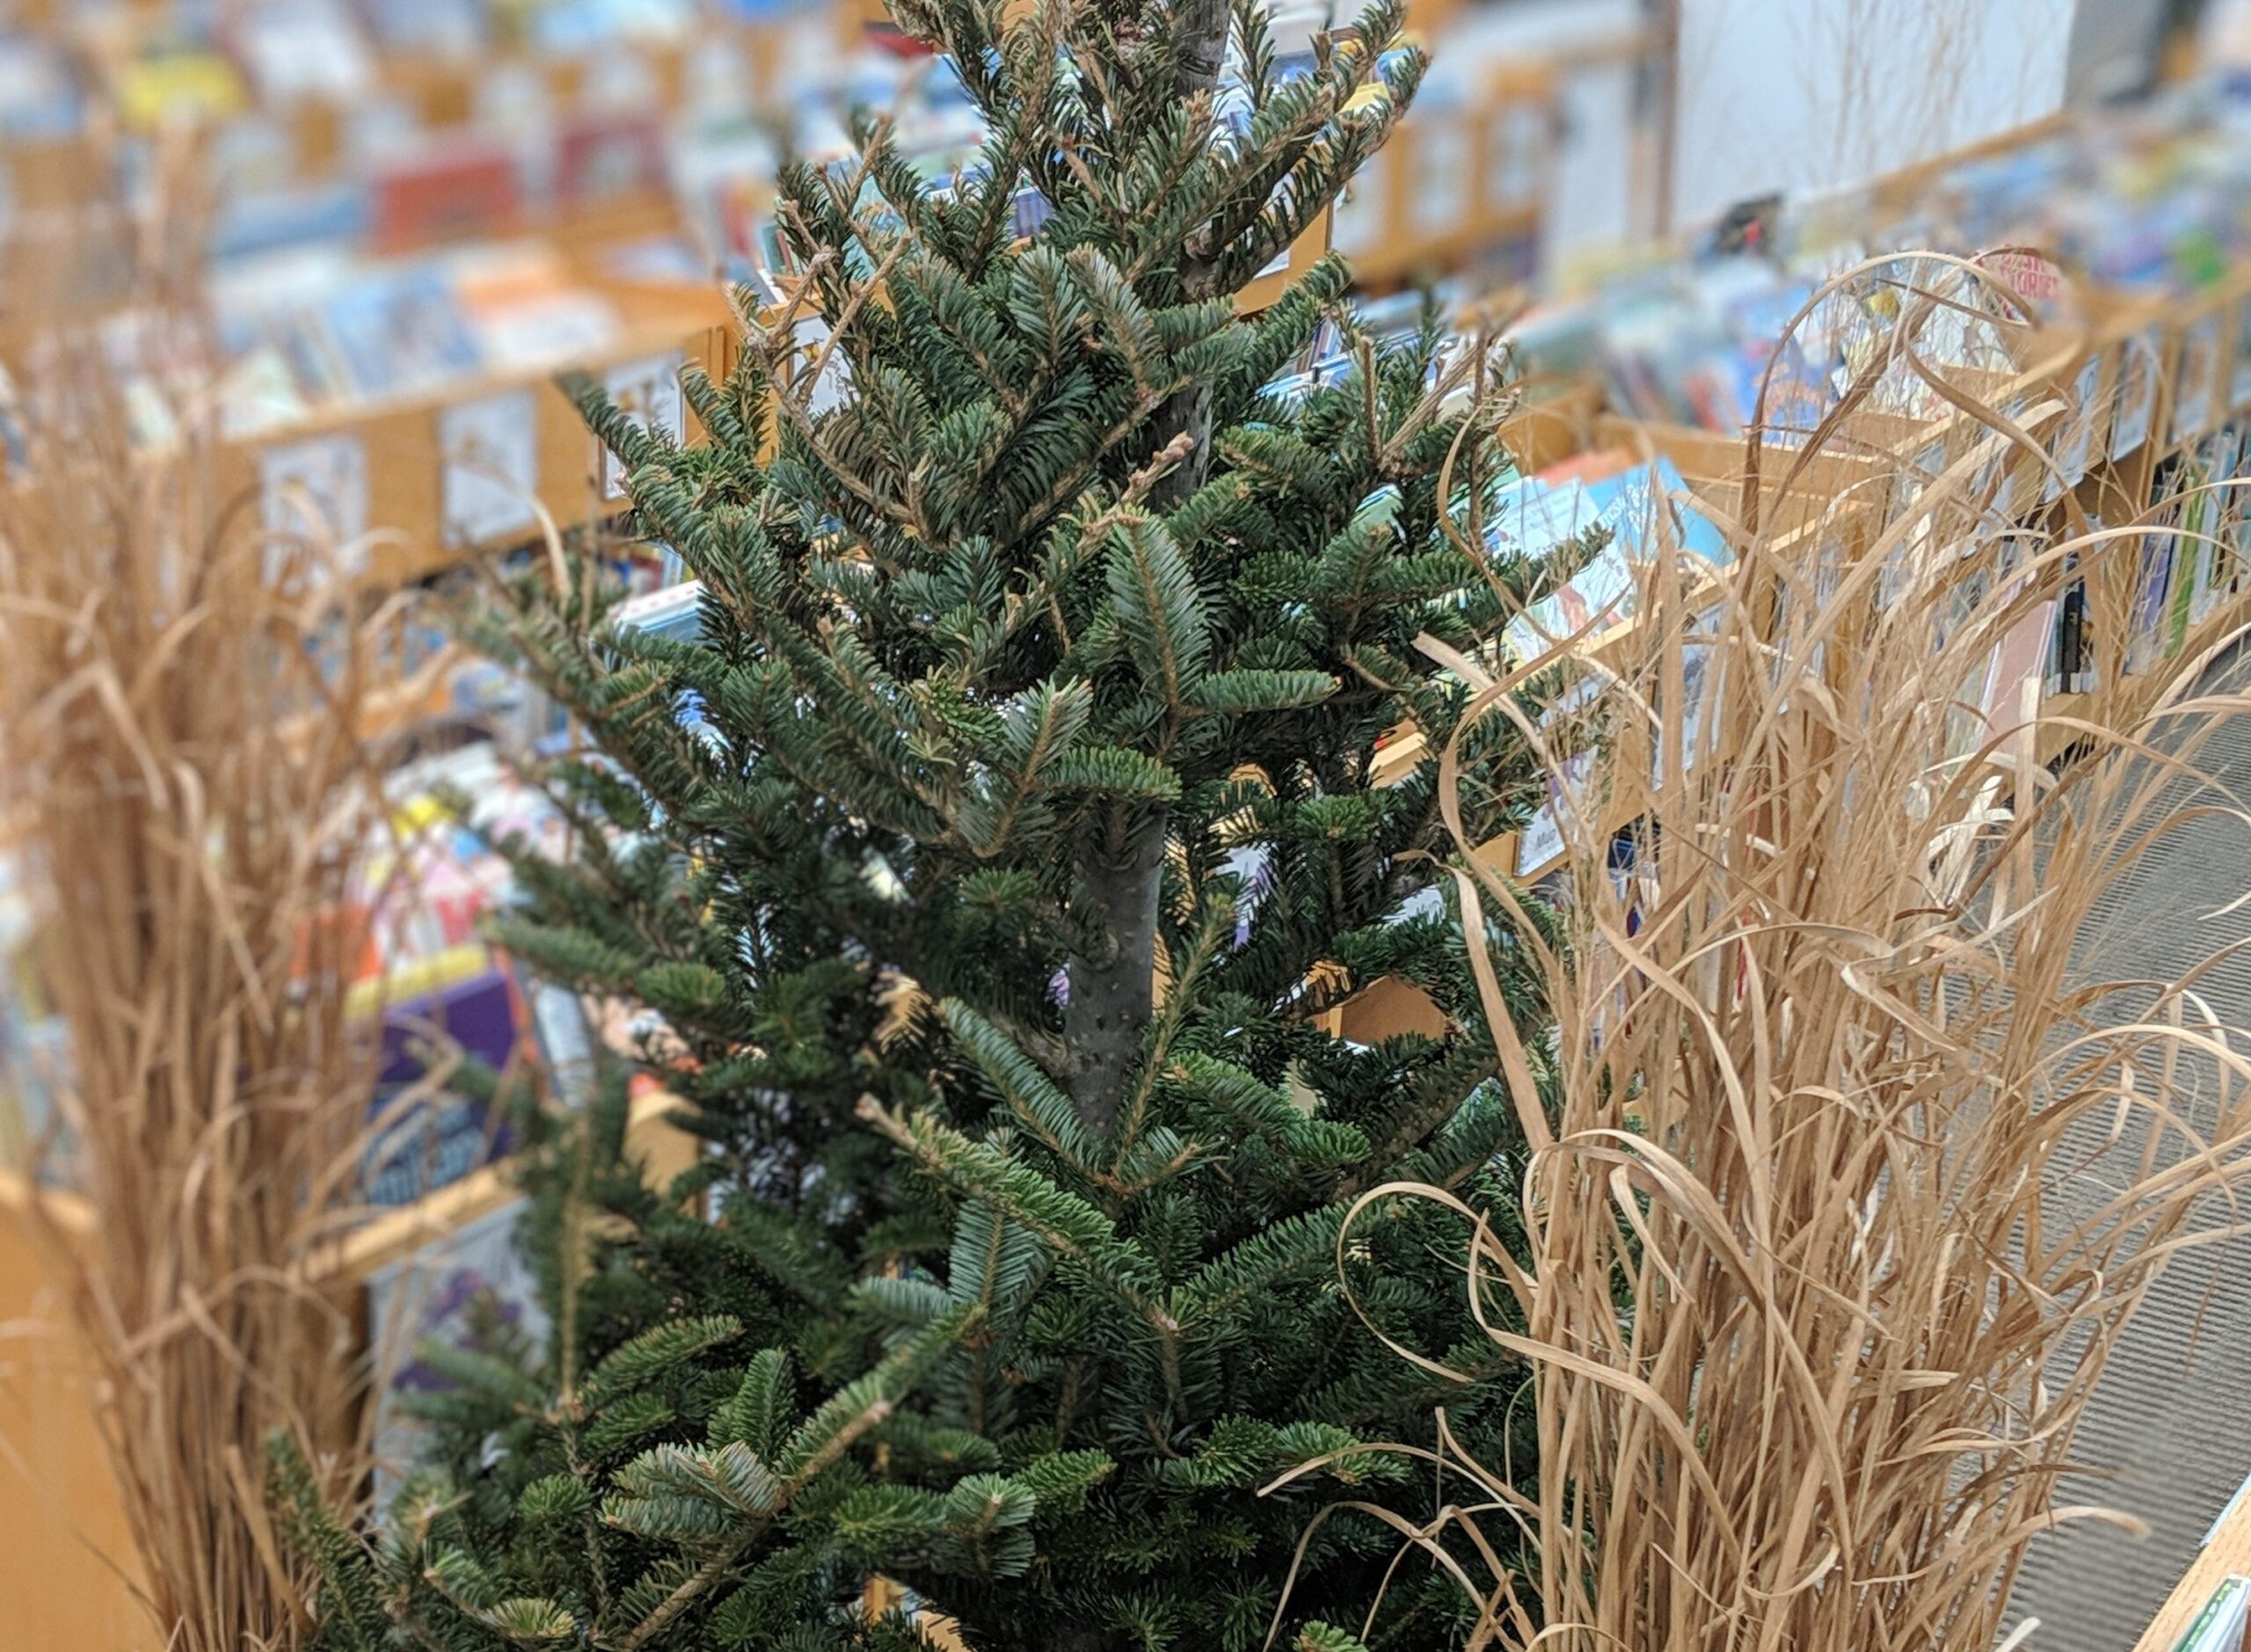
(1847, 1162)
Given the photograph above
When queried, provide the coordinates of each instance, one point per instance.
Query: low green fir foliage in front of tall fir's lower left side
(685, 1489)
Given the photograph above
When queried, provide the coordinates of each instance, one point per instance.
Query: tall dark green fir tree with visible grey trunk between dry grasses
(996, 856)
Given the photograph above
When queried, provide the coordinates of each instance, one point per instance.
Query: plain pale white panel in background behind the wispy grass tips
(1818, 93)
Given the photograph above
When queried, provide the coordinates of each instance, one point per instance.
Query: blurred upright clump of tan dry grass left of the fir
(192, 859)
